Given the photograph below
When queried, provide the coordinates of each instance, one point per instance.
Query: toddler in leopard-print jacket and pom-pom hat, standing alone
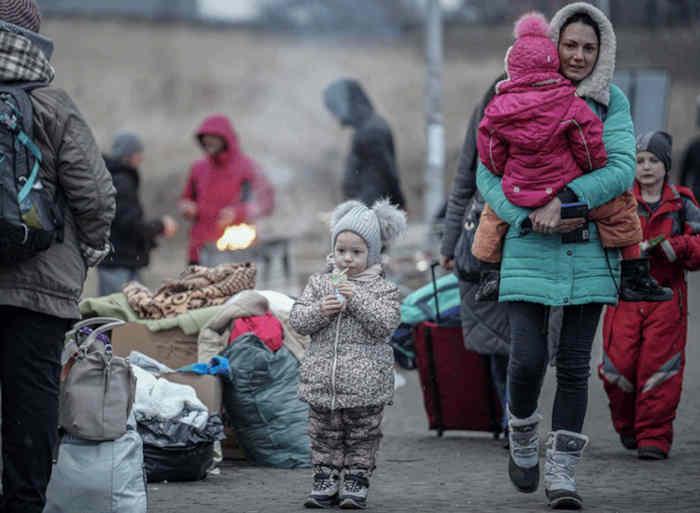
(347, 375)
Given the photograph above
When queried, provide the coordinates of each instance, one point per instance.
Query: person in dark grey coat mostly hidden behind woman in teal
(484, 325)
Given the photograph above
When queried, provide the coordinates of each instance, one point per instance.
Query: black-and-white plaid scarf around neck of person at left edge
(21, 61)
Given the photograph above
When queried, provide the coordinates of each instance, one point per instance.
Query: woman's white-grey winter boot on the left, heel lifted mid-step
(524, 461)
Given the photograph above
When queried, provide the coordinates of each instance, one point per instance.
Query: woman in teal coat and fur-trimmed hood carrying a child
(540, 270)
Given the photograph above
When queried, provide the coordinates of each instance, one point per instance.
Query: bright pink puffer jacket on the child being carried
(539, 136)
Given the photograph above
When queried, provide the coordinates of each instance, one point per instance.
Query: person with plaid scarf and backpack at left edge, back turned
(39, 296)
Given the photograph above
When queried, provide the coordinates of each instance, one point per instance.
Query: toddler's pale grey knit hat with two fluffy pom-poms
(377, 225)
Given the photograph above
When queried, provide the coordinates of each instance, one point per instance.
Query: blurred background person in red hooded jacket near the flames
(224, 188)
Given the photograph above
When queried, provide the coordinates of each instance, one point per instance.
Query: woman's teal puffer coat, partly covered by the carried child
(540, 269)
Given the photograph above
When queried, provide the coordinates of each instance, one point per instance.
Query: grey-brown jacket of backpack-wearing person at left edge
(52, 281)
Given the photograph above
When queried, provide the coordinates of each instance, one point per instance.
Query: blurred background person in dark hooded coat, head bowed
(371, 172)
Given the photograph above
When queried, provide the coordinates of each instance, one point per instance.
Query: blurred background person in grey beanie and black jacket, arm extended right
(133, 236)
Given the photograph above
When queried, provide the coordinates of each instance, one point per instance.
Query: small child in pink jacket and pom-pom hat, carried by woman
(540, 136)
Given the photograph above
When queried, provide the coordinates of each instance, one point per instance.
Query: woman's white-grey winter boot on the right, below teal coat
(564, 450)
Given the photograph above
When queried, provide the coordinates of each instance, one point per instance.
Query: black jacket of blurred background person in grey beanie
(132, 236)
